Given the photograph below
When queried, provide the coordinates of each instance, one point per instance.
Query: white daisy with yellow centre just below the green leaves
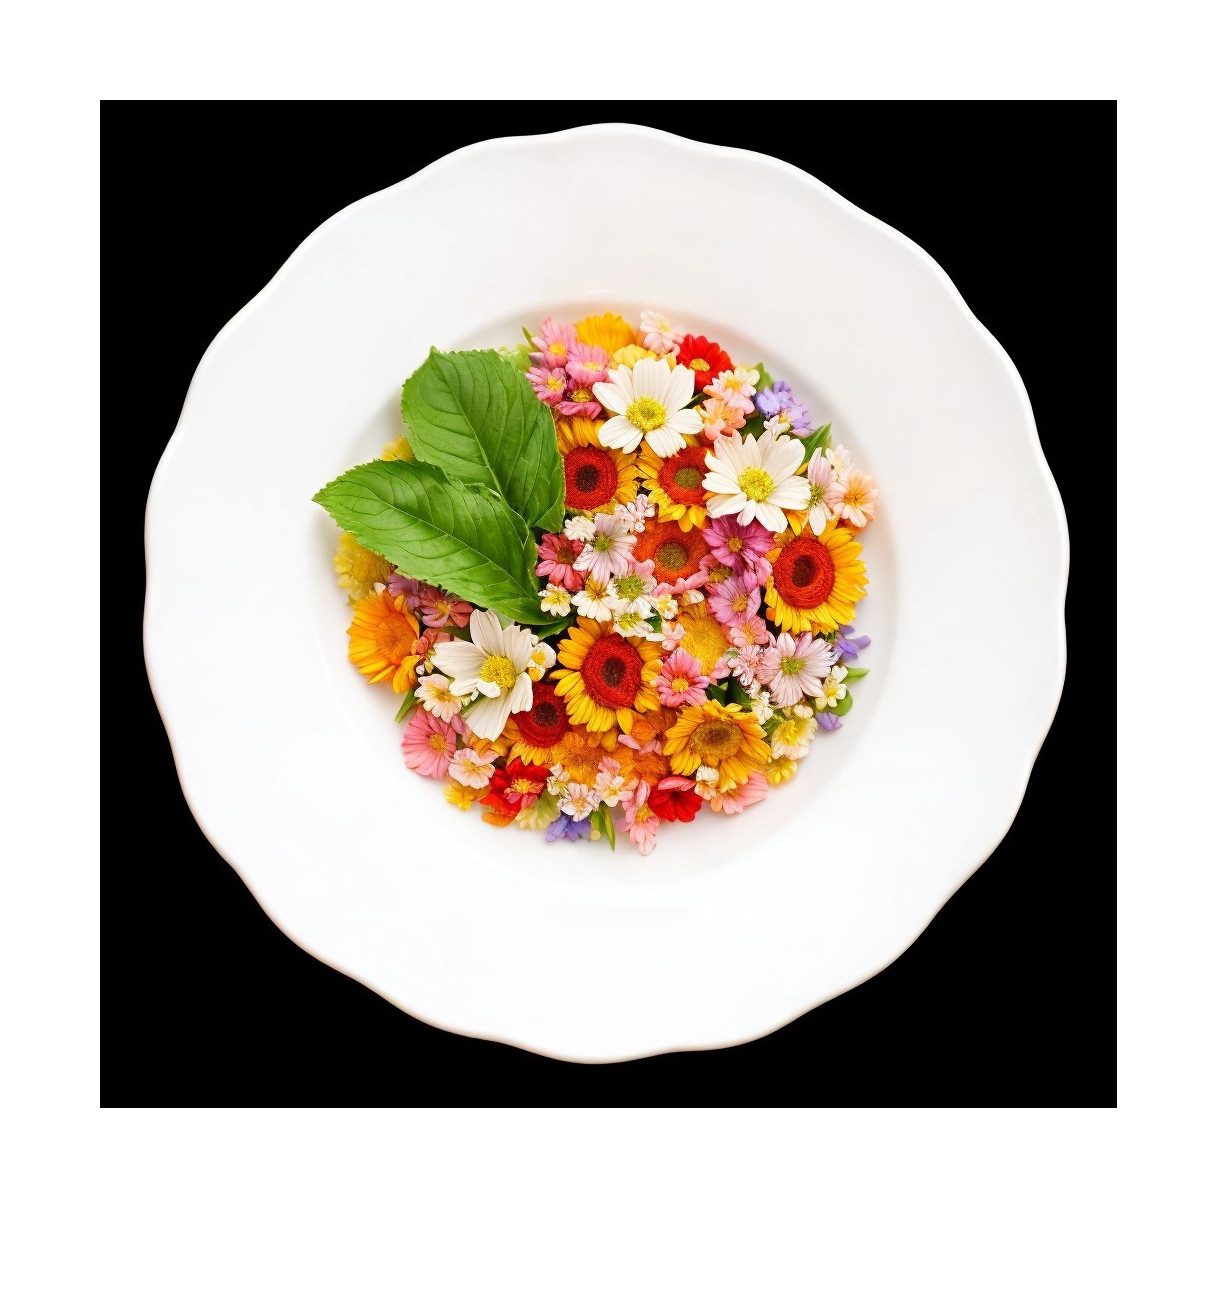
(494, 664)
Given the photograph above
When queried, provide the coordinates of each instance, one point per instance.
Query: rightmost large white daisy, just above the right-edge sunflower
(756, 480)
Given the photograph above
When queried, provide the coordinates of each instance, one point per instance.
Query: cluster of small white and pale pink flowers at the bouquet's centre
(618, 588)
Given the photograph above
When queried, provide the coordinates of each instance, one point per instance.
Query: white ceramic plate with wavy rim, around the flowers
(290, 761)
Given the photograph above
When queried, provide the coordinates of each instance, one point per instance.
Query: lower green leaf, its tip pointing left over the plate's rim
(464, 539)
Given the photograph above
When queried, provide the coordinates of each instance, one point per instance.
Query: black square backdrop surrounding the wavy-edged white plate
(1007, 998)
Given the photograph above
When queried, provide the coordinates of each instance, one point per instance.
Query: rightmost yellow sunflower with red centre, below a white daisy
(816, 582)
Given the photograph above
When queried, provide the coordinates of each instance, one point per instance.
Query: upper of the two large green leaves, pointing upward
(474, 416)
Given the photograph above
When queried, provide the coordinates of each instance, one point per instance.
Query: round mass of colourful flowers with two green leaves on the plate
(613, 575)
